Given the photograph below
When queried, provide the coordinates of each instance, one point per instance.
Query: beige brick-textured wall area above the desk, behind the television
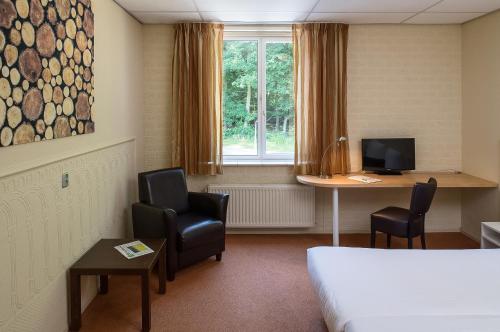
(405, 81)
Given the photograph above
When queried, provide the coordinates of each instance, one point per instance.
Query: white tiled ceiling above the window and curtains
(287, 11)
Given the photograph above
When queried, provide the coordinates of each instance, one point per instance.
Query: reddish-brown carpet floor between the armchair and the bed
(260, 285)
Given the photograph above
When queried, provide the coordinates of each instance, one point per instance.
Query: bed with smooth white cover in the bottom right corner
(371, 290)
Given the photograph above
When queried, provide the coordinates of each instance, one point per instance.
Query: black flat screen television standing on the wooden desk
(388, 155)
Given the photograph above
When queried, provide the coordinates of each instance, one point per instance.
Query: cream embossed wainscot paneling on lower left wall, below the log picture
(44, 229)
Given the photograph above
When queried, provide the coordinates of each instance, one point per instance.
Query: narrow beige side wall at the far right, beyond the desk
(481, 118)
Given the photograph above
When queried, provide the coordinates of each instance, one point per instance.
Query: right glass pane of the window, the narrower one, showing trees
(279, 98)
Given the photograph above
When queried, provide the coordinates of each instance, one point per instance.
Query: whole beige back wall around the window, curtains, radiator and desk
(402, 81)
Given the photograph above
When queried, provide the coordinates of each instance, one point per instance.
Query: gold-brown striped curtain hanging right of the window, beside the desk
(320, 92)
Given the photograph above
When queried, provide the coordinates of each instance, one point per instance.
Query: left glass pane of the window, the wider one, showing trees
(240, 97)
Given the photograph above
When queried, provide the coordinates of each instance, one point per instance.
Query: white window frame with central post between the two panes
(262, 37)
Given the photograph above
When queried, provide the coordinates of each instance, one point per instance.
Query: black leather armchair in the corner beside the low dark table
(194, 224)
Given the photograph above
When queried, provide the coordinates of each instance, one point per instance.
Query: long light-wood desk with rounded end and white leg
(408, 180)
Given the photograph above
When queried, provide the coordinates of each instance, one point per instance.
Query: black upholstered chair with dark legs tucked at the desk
(408, 223)
